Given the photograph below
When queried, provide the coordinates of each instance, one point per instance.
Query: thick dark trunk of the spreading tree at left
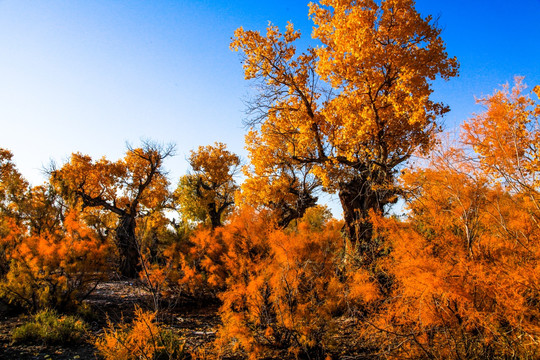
(127, 247)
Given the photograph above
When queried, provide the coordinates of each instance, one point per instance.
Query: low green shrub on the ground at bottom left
(49, 328)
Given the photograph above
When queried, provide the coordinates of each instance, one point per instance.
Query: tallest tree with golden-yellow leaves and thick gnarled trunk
(355, 108)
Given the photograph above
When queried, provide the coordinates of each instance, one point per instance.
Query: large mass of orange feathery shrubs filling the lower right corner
(466, 272)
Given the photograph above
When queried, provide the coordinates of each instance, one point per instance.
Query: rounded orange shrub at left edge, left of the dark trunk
(54, 268)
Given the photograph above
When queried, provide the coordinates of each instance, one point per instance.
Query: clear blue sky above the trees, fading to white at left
(89, 75)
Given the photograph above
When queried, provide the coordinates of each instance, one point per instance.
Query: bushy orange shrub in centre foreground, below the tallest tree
(286, 290)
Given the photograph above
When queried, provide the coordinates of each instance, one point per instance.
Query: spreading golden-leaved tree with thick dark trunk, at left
(125, 187)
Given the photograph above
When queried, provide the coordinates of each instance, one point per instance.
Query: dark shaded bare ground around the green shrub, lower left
(115, 300)
